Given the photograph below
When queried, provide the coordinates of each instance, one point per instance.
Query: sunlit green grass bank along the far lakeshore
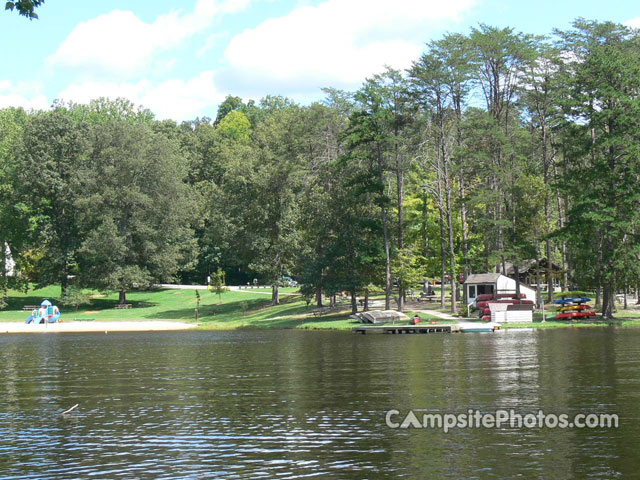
(233, 310)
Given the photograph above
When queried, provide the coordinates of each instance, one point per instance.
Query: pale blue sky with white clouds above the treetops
(180, 59)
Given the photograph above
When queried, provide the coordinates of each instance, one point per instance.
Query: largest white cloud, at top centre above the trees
(338, 42)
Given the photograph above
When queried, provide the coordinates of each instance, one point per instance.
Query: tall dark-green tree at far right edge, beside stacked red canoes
(602, 87)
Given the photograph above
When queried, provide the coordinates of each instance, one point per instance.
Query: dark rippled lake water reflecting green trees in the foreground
(293, 404)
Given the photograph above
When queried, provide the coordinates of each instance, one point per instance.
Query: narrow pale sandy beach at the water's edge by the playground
(76, 327)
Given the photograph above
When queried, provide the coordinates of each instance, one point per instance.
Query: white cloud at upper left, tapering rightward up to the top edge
(118, 44)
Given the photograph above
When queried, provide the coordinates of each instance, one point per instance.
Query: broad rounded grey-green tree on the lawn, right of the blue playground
(136, 210)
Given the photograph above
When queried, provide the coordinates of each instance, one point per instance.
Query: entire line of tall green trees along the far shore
(494, 148)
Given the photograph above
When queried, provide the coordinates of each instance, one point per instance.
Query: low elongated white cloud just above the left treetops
(176, 99)
